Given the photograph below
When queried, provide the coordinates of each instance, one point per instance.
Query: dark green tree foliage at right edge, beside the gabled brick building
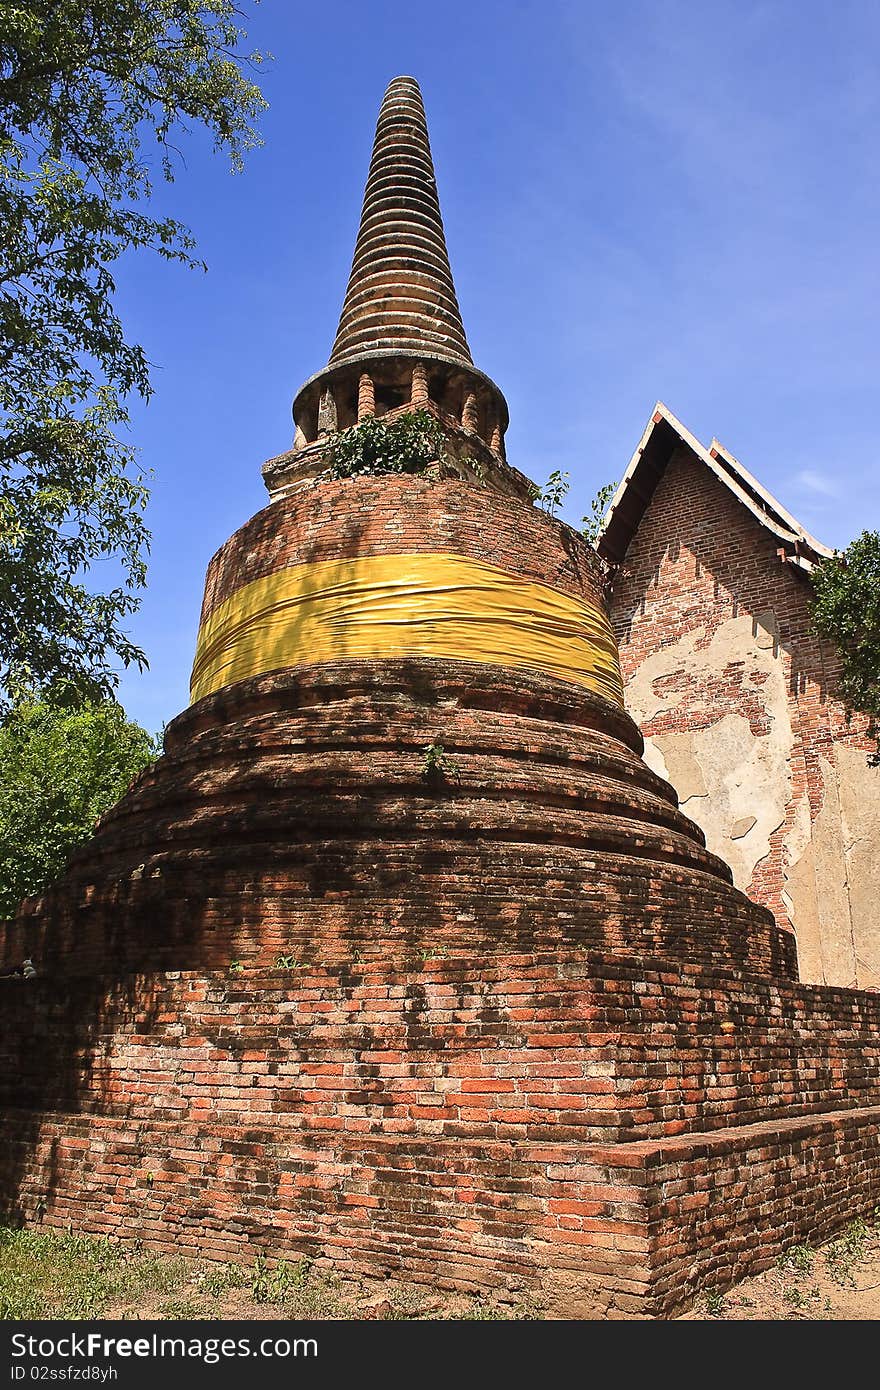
(846, 612)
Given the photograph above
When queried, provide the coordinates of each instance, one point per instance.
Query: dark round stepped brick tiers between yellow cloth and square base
(305, 825)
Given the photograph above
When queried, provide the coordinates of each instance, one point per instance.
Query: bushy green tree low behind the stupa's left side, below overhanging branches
(60, 771)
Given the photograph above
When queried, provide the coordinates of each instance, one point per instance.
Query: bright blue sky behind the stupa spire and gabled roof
(643, 201)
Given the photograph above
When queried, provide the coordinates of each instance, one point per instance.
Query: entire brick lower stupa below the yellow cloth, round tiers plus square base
(508, 1031)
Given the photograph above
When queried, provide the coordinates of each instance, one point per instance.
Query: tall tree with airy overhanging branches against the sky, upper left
(91, 95)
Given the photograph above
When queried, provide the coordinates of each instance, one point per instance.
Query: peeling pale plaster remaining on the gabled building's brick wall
(738, 786)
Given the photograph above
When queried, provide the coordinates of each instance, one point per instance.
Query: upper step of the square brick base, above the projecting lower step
(472, 1047)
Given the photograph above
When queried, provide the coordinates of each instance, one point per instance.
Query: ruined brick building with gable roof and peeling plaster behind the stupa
(735, 694)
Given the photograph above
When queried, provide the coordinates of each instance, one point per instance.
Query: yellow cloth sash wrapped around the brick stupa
(405, 605)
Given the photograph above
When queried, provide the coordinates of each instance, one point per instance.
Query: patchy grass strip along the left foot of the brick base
(51, 1274)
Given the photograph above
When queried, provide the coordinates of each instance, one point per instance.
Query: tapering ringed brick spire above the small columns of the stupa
(401, 295)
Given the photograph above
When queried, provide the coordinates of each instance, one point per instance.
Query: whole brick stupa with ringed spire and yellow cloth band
(493, 1018)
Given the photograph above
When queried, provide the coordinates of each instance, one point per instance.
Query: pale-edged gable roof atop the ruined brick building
(662, 437)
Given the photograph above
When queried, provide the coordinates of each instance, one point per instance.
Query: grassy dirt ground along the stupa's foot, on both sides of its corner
(48, 1274)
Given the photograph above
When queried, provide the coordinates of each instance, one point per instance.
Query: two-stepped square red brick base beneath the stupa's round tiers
(612, 1134)
